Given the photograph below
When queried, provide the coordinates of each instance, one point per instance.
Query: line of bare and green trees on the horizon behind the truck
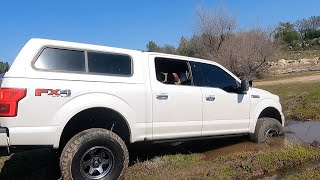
(245, 52)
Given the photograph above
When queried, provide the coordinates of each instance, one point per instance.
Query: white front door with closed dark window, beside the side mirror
(224, 110)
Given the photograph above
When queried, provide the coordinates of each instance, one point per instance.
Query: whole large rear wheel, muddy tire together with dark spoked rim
(83, 151)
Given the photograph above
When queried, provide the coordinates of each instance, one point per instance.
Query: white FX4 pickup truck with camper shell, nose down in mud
(91, 101)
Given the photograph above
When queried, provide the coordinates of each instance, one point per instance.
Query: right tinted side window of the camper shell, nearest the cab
(109, 63)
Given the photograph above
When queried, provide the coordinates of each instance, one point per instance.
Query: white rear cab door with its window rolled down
(177, 104)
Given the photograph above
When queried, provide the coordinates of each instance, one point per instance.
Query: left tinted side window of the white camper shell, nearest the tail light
(61, 59)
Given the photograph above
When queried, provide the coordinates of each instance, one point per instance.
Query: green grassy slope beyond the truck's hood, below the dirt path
(299, 100)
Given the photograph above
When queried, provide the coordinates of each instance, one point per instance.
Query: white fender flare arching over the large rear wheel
(92, 100)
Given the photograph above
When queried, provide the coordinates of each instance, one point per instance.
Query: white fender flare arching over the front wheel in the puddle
(261, 105)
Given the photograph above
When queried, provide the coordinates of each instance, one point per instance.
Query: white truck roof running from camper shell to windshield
(22, 64)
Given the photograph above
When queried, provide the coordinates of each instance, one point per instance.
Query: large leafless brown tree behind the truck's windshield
(244, 52)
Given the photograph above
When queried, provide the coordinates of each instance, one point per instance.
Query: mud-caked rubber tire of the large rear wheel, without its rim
(77, 146)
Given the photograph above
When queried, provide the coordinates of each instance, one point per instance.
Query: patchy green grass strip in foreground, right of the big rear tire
(242, 165)
